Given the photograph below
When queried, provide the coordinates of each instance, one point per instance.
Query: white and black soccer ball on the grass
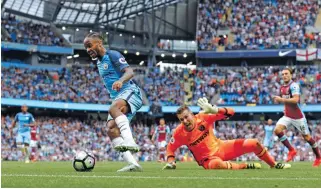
(83, 161)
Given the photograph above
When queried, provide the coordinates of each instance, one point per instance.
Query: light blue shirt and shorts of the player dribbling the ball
(110, 70)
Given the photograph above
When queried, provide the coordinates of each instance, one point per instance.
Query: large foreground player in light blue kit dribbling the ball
(127, 100)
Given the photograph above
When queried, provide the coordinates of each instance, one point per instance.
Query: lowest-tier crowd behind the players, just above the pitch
(60, 138)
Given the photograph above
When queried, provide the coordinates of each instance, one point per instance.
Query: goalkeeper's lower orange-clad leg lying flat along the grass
(218, 163)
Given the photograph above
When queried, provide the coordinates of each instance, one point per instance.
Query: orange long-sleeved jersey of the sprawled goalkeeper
(201, 141)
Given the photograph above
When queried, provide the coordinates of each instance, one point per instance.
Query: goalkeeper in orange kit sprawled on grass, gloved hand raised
(196, 132)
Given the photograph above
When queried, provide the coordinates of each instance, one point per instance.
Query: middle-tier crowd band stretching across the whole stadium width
(222, 85)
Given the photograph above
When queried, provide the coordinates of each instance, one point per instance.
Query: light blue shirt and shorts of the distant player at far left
(23, 131)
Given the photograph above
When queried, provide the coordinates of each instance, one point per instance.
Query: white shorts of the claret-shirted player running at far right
(299, 124)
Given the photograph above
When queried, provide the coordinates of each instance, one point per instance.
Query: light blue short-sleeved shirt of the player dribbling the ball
(110, 69)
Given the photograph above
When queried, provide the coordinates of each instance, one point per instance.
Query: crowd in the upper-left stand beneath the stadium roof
(27, 32)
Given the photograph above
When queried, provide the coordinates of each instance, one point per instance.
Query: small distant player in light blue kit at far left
(24, 120)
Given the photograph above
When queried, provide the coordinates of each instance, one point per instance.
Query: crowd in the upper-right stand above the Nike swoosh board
(256, 24)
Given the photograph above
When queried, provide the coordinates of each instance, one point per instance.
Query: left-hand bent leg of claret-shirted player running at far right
(281, 125)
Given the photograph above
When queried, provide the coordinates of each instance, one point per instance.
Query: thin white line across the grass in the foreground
(158, 177)
